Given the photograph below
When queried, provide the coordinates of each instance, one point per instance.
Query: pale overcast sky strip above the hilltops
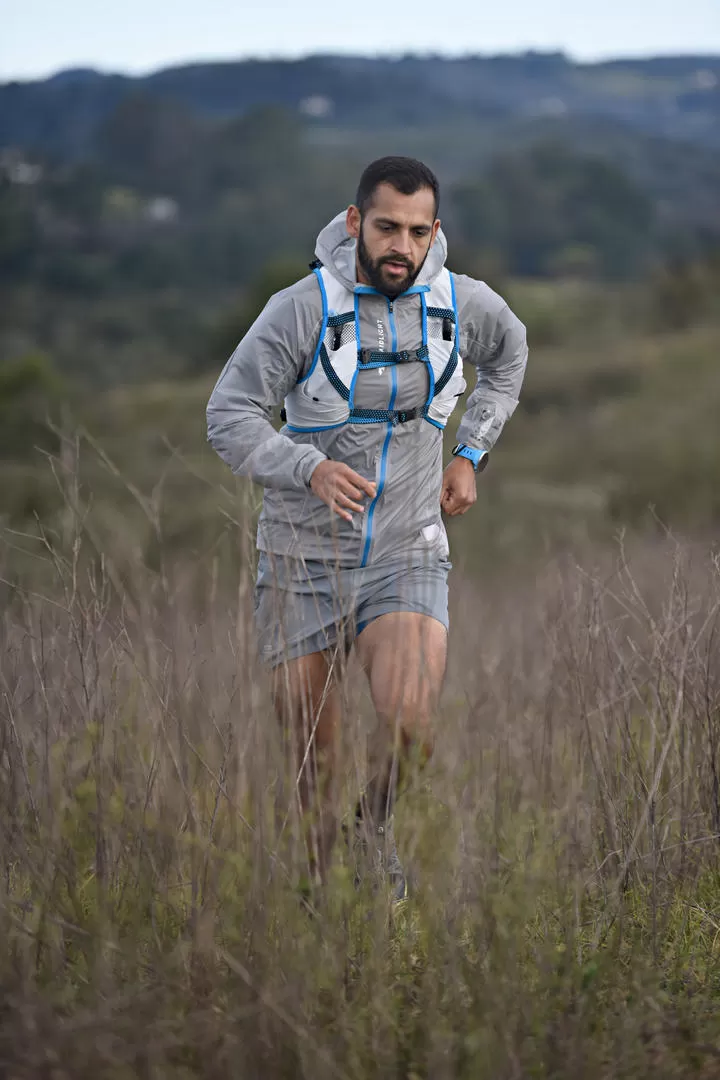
(40, 37)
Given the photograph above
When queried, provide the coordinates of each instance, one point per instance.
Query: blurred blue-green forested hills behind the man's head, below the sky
(145, 222)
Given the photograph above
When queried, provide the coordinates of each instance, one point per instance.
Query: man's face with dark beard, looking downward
(393, 238)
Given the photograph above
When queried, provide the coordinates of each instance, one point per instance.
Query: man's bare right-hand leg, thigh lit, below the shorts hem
(404, 655)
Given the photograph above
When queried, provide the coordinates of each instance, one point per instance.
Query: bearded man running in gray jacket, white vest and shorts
(365, 356)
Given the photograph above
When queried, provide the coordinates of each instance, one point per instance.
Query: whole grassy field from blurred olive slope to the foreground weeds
(564, 843)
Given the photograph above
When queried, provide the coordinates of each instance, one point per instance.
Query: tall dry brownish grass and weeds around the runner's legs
(566, 919)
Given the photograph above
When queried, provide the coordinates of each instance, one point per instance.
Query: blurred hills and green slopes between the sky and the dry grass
(144, 223)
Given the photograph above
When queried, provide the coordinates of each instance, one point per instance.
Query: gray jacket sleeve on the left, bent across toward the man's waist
(265, 367)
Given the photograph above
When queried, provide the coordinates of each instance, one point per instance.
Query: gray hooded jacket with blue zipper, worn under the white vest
(406, 462)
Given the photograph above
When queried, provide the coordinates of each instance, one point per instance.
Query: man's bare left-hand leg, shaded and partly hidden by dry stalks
(308, 706)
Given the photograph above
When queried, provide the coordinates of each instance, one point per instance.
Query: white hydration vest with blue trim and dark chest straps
(324, 398)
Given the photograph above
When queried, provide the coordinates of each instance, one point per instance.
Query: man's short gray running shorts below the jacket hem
(305, 606)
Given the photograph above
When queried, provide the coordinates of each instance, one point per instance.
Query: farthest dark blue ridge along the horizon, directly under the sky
(675, 98)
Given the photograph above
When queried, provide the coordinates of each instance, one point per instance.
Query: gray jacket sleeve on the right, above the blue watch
(494, 342)
